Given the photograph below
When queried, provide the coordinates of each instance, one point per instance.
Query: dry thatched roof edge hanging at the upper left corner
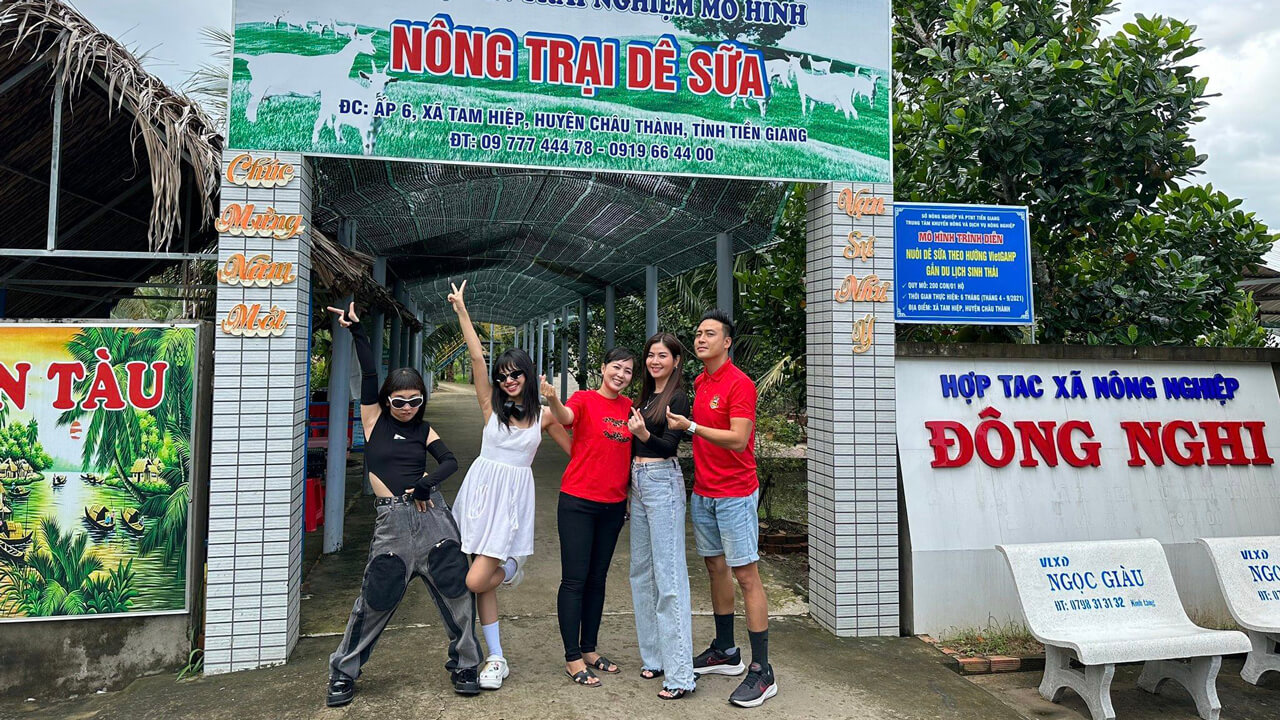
(171, 126)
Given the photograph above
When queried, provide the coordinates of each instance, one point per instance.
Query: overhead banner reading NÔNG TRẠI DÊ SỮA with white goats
(752, 89)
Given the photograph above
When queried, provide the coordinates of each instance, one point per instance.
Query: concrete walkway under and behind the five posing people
(820, 676)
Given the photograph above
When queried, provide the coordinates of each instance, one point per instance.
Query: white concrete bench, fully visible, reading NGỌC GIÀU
(1109, 603)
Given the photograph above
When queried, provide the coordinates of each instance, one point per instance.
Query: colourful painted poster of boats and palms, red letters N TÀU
(95, 438)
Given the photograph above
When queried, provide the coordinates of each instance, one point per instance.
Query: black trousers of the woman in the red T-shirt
(588, 532)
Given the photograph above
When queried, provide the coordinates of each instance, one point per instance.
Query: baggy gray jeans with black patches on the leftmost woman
(409, 544)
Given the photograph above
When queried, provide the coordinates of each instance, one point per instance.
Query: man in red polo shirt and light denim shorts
(724, 508)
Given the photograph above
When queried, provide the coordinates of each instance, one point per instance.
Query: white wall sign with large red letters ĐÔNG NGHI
(1020, 452)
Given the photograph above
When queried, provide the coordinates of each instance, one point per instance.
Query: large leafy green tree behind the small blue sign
(1028, 104)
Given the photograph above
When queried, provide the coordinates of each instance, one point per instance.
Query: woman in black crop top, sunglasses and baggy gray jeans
(414, 532)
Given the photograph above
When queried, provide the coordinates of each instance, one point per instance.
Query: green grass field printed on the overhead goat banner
(836, 148)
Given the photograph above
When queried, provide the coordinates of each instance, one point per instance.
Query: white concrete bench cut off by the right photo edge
(1249, 572)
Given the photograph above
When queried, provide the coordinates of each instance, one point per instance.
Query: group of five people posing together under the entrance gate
(623, 467)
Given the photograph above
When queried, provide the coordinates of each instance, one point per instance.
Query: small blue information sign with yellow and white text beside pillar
(966, 265)
